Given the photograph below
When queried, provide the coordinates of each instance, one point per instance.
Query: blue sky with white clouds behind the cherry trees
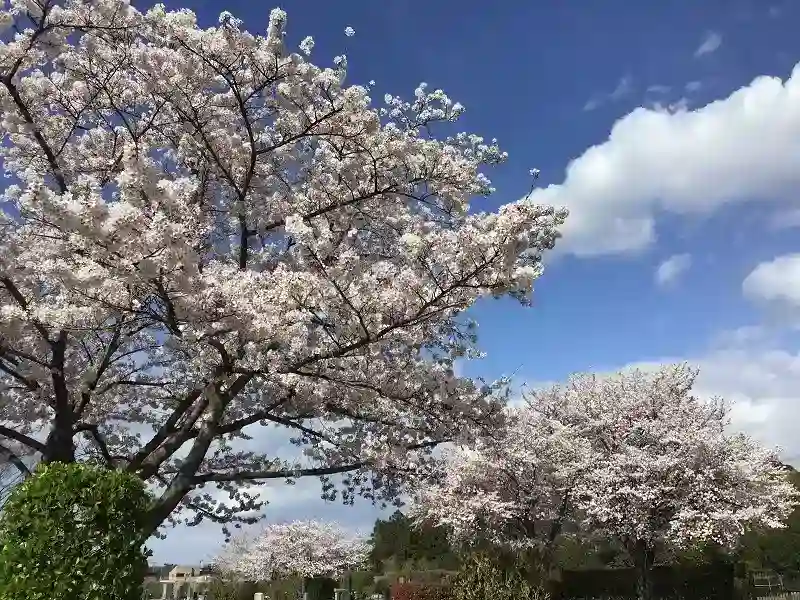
(675, 152)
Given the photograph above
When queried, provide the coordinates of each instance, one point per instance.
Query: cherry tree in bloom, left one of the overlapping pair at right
(514, 490)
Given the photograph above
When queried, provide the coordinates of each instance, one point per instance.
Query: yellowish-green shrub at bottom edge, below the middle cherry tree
(482, 578)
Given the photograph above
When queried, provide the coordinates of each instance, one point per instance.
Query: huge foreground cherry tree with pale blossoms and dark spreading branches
(204, 233)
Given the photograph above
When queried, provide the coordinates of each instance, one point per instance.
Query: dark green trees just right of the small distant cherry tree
(398, 545)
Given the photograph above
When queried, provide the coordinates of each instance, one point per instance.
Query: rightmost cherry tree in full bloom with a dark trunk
(665, 471)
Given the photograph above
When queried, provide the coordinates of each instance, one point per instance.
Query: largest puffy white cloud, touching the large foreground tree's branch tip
(681, 162)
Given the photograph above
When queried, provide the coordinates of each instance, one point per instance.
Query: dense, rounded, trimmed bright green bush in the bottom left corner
(74, 532)
